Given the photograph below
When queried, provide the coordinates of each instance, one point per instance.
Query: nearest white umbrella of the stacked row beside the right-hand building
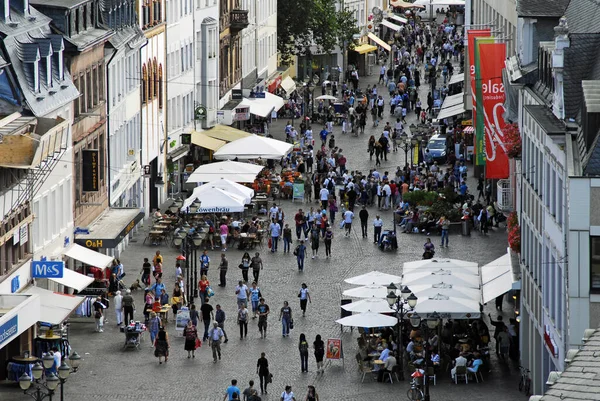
(448, 307)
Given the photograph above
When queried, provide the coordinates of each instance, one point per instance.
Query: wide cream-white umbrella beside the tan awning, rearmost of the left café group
(254, 147)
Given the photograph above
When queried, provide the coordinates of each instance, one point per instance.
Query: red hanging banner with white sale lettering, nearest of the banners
(491, 58)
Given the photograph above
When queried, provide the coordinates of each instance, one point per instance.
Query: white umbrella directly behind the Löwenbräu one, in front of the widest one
(230, 170)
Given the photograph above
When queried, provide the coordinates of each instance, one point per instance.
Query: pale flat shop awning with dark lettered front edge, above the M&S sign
(110, 228)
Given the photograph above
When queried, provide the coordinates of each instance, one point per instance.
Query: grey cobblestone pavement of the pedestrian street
(110, 373)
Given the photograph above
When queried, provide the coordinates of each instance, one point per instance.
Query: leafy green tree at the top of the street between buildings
(307, 23)
